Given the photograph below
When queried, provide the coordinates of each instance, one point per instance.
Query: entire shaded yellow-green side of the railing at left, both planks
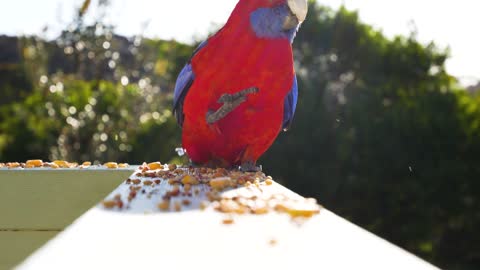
(36, 204)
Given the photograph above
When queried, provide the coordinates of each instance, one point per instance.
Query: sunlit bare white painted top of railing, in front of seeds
(142, 237)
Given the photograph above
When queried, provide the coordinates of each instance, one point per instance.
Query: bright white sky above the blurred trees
(451, 23)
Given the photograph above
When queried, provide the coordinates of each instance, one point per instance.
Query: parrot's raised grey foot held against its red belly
(230, 102)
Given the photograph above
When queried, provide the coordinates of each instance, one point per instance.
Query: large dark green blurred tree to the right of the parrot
(381, 136)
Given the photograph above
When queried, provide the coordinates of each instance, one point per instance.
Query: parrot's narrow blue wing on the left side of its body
(184, 82)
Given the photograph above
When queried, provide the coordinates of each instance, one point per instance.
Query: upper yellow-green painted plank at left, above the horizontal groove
(51, 199)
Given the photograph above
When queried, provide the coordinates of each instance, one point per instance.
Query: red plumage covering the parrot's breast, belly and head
(235, 59)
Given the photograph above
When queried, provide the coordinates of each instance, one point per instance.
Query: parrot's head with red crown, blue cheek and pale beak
(272, 18)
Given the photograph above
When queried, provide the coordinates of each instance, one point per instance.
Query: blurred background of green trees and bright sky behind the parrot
(384, 134)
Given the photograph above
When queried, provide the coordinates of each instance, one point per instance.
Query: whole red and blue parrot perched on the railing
(239, 89)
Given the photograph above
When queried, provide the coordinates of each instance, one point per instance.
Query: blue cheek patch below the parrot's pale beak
(268, 23)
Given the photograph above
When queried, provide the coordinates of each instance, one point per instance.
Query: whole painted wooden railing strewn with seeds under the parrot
(167, 221)
